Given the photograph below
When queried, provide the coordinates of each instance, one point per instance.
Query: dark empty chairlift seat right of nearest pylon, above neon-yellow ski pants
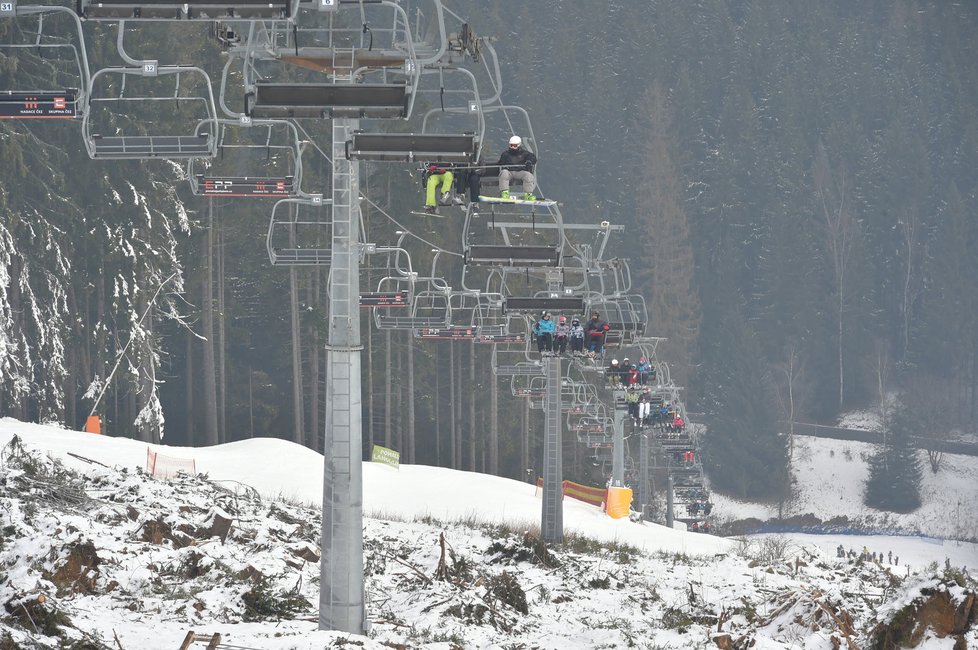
(411, 147)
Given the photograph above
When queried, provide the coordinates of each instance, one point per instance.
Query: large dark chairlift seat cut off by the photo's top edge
(191, 10)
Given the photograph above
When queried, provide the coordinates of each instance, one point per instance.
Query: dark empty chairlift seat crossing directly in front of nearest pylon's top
(326, 100)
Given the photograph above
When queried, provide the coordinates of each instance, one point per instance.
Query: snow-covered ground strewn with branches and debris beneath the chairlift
(645, 586)
